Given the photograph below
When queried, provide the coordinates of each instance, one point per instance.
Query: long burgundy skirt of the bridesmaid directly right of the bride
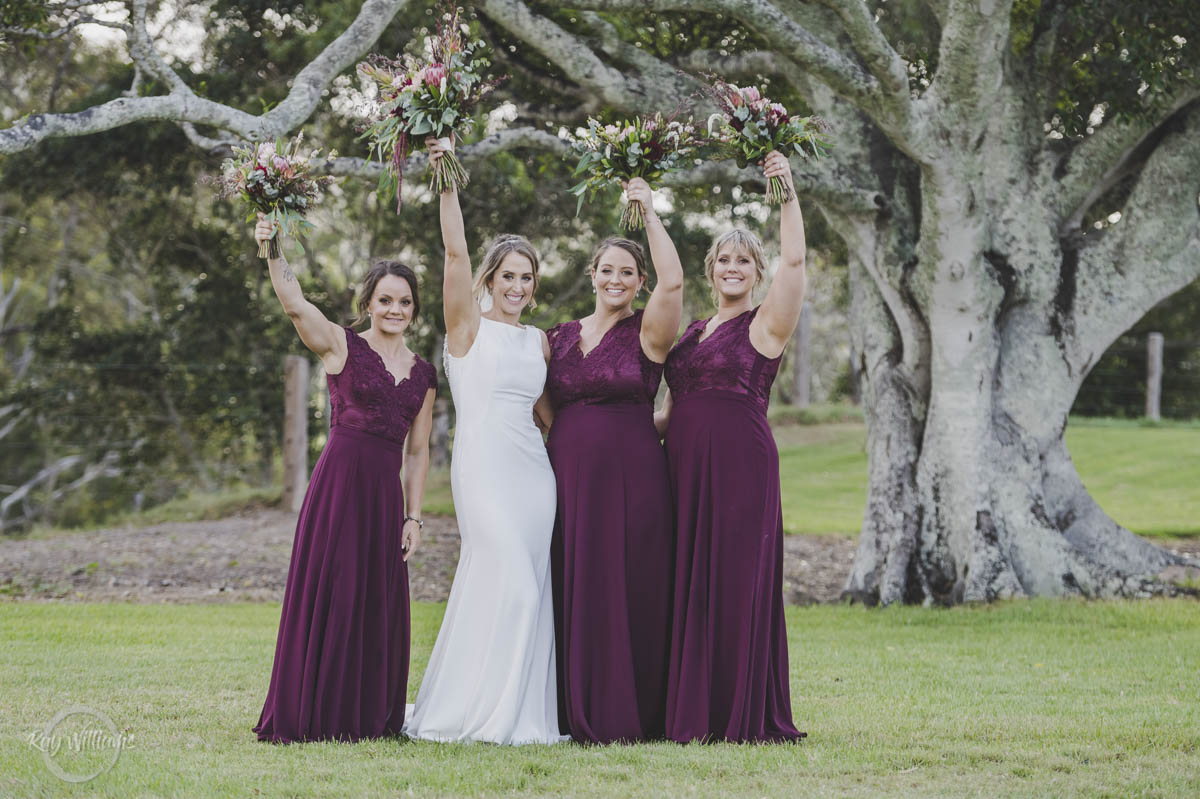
(613, 558)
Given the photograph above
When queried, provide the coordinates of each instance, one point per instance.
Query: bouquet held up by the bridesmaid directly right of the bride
(647, 147)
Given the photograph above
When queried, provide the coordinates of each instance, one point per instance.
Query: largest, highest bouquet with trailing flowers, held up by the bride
(427, 99)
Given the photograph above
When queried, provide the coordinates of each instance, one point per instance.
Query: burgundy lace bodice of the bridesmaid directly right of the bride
(616, 371)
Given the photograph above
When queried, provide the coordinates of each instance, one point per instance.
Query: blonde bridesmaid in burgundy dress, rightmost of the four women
(729, 675)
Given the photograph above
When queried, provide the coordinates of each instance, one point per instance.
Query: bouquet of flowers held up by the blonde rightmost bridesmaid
(751, 127)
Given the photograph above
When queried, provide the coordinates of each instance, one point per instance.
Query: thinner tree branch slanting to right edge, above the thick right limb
(1095, 166)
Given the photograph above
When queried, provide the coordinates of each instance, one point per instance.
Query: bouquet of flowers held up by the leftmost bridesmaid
(275, 179)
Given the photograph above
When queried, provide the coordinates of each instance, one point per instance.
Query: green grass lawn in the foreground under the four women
(1018, 700)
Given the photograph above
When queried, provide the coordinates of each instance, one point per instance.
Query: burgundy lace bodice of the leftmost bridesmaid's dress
(364, 395)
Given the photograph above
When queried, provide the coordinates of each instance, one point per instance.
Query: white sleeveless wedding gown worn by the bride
(491, 676)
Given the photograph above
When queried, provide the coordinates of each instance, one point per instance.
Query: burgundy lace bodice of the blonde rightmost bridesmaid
(725, 361)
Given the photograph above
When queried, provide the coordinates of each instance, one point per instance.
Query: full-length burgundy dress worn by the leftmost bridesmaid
(341, 658)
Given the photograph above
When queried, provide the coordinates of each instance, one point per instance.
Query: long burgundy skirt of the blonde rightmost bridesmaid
(729, 675)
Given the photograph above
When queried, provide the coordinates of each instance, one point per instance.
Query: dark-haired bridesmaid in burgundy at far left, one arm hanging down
(341, 658)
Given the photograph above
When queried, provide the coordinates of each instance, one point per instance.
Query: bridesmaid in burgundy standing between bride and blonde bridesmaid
(613, 550)
